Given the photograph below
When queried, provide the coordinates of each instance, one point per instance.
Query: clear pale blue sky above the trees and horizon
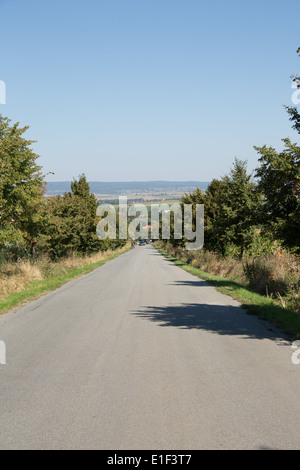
(125, 90)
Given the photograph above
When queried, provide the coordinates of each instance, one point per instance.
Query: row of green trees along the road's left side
(31, 224)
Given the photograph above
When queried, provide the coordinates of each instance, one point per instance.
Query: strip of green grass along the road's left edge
(40, 287)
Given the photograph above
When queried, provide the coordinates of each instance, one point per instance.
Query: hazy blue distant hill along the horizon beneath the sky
(123, 188)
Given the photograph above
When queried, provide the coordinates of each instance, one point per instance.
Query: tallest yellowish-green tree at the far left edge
(21, 186)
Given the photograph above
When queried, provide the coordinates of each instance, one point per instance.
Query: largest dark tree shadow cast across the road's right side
(217, 319)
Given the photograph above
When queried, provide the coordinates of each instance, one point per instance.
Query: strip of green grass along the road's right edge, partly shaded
(263, 307)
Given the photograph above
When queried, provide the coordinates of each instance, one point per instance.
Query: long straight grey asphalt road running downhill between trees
(139, 354)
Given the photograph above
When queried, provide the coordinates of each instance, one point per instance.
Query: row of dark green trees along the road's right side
(244, 213)
